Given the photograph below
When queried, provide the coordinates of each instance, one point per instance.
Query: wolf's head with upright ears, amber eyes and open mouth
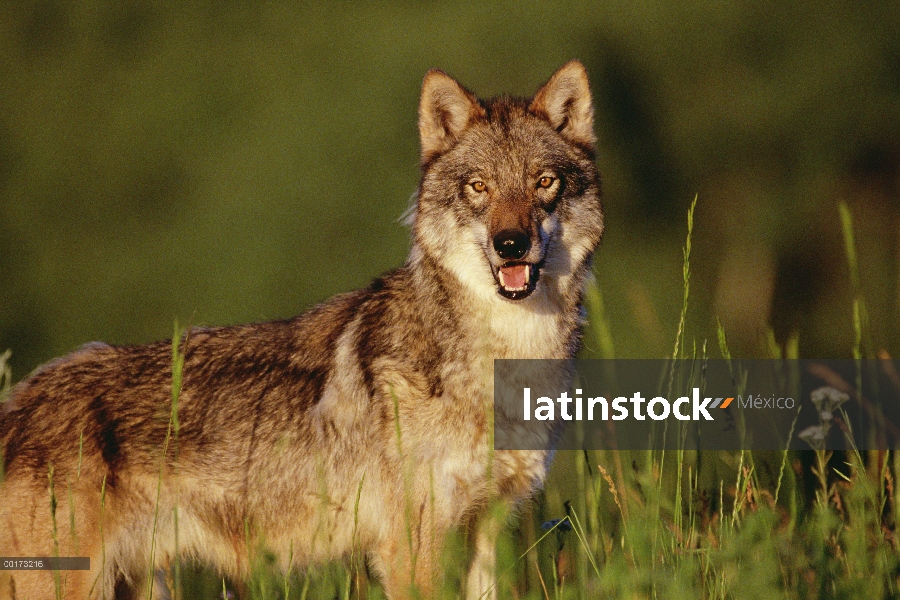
(509, 202)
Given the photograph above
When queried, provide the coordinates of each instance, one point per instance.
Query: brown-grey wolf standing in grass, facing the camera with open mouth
(362, 427)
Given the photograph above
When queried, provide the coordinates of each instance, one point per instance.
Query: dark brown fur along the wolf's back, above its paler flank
(117, 400)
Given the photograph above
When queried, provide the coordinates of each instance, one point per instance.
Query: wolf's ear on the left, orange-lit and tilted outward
(445, 110)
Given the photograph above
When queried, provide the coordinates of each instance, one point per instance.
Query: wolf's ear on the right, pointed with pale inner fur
(566, 102)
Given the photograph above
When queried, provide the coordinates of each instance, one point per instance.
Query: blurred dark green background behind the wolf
(232, 161)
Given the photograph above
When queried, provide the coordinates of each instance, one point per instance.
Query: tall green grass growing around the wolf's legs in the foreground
(650, 524)
